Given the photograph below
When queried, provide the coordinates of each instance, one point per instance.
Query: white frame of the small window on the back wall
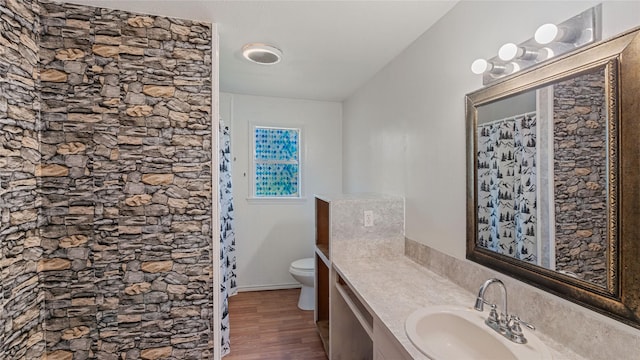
(252, 167)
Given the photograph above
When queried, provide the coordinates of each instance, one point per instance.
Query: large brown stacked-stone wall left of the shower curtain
(124, 183)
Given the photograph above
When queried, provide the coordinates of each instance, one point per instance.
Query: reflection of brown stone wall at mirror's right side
(580, 150)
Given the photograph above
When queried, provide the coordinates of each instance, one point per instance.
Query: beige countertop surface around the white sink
(393, 286)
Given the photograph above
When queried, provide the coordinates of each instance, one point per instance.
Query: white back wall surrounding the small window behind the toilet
(271, 234)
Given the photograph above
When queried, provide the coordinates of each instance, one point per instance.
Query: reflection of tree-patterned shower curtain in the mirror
(507, 202)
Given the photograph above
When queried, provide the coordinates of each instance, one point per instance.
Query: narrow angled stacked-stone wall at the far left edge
(21, 297)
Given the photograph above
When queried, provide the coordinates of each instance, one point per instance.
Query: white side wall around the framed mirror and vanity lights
(404, 130)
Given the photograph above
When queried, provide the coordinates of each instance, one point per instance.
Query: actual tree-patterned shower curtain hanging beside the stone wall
(227, 237)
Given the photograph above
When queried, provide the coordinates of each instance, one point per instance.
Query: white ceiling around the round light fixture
(330, 48)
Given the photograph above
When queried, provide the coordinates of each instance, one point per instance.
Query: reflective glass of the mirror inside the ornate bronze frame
(543, 186)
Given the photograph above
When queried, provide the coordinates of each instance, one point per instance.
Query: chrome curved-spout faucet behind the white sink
(505, 324)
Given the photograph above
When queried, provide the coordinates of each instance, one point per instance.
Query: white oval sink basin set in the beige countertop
(456, 333)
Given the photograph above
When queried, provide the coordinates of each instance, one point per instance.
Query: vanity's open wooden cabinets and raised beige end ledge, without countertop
(347, 325)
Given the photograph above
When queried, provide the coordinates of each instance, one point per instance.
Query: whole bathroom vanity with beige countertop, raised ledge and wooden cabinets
(366, 287)
